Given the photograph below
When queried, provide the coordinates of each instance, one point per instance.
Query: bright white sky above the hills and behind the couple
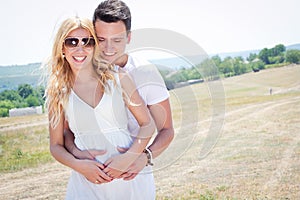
(217, 26)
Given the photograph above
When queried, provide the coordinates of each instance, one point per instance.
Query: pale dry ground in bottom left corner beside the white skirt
(44, 182)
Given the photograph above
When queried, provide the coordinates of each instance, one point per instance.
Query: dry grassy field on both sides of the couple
(251, 141)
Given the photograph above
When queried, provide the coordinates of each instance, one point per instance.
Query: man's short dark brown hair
(113, 11)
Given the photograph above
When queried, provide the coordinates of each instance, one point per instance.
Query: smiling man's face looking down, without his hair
(112, 40)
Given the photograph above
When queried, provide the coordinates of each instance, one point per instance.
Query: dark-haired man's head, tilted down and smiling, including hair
(112, 21)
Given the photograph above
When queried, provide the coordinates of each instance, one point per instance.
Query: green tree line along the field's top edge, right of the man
(214, 67)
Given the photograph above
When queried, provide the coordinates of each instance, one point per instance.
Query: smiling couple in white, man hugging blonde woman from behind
(110, 113)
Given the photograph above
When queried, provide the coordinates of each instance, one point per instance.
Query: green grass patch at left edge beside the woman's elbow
(24, 148)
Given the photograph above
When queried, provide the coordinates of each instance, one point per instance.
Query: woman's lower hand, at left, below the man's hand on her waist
(93, 171)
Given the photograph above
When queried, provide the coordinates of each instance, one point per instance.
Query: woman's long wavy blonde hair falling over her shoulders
(60, 76)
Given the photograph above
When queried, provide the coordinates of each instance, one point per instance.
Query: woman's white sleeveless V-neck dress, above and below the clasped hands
(104, 127)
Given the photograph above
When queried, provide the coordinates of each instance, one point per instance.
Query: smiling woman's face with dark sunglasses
(79, 48)
